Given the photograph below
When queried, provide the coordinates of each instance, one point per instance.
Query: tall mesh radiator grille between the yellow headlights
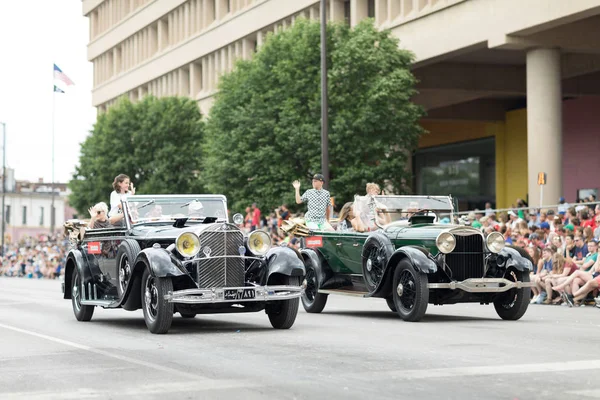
(223, 240)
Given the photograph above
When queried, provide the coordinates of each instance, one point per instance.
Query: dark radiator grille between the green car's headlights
(466, 261)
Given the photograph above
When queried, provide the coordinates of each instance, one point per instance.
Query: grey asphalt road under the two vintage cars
(355, 349)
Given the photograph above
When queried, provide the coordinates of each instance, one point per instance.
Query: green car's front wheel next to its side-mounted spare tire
(410, 292)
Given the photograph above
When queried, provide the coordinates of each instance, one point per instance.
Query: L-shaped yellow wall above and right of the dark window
(511, 149)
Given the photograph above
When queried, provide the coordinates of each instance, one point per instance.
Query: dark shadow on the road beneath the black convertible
(200, 324)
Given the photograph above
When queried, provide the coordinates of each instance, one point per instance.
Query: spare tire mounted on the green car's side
(376, 253)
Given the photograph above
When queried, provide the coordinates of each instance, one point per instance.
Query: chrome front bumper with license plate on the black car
(224, 295)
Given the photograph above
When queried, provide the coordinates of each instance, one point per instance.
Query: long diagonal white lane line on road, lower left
(146, 364)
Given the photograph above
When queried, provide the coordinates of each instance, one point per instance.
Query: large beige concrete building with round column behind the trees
(509, 85)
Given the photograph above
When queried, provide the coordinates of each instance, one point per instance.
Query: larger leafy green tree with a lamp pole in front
(264, 127)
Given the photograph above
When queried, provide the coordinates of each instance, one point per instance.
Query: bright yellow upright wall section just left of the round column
(511, 159)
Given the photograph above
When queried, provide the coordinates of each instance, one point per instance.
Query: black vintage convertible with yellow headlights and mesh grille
(179, 253)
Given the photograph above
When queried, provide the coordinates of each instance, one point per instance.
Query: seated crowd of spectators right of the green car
(562, 242)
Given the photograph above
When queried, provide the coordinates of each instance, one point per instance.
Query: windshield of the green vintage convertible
(391, 209)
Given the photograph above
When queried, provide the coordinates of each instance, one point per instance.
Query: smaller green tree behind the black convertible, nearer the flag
(157, 142)
